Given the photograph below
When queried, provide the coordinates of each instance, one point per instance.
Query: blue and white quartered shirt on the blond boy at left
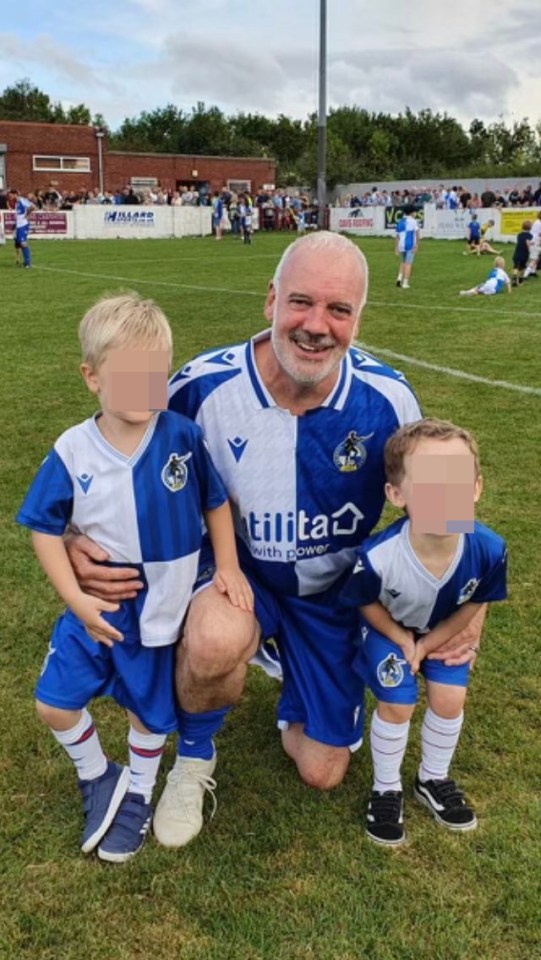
(144, 510)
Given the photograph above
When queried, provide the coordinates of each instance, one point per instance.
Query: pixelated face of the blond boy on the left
(131, 383)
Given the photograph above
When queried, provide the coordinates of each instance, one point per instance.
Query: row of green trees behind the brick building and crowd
(360, 145)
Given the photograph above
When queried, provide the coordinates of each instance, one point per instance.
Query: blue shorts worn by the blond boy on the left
(141, 679)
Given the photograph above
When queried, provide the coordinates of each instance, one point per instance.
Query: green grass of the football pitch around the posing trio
(282, 872)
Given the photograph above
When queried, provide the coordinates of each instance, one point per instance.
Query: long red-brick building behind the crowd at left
(74, 158)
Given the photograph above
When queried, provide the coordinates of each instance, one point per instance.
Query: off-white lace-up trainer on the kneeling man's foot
(178, 817)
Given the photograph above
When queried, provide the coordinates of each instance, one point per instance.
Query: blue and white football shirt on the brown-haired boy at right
(389, 570)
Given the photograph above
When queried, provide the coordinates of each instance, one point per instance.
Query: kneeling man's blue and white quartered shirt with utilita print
(306, 490)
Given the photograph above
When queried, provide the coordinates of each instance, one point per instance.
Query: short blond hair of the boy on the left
(124, 320)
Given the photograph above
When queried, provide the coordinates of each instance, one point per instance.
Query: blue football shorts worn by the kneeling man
(315, 638)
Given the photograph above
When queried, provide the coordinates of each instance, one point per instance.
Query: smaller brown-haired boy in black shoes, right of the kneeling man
(418, 583)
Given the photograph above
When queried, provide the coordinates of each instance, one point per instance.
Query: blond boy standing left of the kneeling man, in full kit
(138, 480)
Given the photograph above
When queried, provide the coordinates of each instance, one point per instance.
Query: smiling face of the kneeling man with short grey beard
(315, 313)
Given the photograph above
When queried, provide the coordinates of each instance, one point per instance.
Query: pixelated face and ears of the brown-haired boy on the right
(439, 488)
